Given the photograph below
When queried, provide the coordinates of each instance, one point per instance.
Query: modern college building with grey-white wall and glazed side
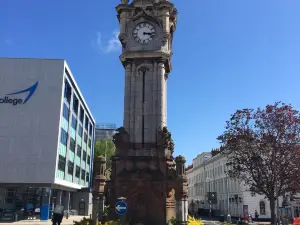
(46, 140)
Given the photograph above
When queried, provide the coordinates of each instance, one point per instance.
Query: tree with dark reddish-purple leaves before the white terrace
(262, 148)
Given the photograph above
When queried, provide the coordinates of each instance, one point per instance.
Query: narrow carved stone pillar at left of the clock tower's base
(98, 189)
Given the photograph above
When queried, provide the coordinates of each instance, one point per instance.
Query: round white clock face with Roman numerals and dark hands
(143, 33)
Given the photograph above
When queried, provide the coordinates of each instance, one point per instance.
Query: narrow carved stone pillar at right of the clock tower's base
(181, 192)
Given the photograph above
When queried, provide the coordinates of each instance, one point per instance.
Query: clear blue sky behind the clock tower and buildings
(228, 55)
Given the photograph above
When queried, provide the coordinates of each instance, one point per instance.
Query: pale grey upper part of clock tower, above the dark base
(146, 34)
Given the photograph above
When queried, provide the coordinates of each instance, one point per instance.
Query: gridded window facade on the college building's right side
(76, 138)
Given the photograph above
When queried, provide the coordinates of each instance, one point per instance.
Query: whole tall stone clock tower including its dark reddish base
(144, 170)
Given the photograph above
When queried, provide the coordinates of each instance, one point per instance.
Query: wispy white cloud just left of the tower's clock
(112, 45)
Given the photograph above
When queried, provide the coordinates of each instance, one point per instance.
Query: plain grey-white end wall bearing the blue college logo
(29, 130)
